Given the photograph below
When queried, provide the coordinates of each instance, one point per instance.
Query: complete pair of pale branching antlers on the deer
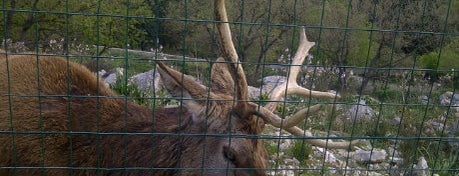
(246, 108)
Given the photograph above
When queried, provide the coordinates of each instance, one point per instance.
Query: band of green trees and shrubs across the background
(349, 34)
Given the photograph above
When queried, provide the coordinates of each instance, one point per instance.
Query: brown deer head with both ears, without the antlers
(227, 140)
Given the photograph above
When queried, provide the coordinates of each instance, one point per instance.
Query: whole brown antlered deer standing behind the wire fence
(58, 118)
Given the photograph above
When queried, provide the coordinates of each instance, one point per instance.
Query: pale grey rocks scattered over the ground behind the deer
(363, 160)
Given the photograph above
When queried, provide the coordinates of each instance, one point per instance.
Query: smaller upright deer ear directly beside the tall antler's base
(221, 81)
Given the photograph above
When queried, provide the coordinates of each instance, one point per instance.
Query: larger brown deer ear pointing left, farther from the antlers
(192, 94)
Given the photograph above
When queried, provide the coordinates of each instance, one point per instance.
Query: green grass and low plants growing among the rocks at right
(413, 125)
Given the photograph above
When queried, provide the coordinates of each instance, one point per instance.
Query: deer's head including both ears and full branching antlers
(231, 121)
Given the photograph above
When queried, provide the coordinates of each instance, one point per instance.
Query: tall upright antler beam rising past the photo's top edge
(231, 55)
